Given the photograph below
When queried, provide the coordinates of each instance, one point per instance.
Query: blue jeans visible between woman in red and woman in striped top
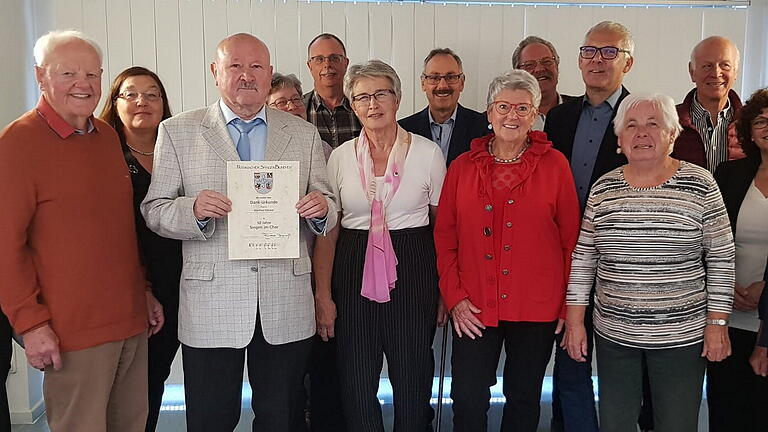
(573, 397)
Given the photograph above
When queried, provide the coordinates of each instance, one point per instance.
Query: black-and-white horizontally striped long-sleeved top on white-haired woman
(660, 258)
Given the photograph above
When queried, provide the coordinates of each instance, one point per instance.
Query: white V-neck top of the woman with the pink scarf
(420, 185)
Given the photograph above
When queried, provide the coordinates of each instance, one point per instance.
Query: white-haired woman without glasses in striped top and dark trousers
(656, 245)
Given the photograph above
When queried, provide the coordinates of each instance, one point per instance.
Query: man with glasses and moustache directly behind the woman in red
(539, 57)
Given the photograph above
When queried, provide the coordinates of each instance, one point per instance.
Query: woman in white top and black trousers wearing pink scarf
(384, 280)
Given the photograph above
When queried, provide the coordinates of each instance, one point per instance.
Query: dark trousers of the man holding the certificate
(213, 379)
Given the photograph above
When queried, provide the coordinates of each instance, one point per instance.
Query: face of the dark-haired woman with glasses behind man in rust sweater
(140, 113)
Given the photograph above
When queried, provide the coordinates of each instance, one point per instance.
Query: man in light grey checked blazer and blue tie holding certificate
(228, 308)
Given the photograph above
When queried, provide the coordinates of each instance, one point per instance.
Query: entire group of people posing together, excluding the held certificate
(607, 220)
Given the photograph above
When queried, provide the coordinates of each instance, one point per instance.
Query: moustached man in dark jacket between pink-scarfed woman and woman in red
(444, 121)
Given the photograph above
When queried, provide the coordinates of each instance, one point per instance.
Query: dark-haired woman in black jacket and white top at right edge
(736, 397)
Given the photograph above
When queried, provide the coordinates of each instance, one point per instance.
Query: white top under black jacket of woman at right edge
(751, 250)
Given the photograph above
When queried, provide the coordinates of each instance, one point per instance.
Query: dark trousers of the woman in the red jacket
(528, 346)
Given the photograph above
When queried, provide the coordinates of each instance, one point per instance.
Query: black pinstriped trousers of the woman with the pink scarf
(402, 329)
